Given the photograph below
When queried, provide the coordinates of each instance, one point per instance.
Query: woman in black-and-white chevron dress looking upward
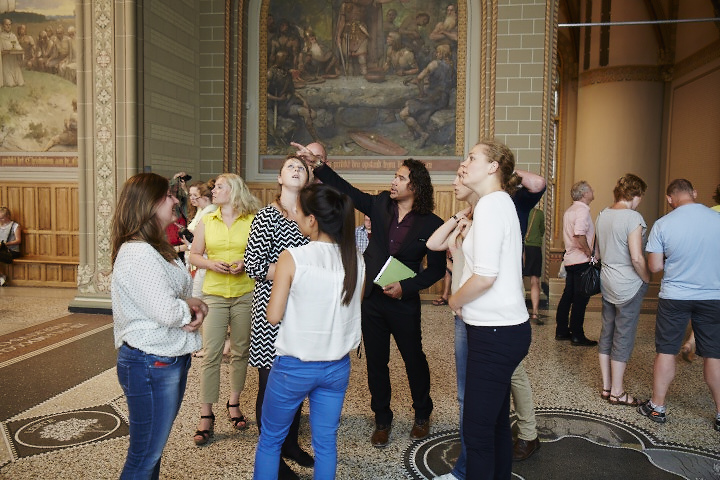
(273, 230)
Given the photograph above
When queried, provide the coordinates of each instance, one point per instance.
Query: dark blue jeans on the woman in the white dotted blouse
(154, 387)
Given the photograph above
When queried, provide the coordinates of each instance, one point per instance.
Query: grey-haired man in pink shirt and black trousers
(579, 235)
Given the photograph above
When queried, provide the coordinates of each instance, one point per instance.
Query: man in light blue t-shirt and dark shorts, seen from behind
(683, 243)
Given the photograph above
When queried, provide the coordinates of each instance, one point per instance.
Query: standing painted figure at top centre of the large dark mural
(359, 34)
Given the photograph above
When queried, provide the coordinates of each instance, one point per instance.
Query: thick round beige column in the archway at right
(619, 106)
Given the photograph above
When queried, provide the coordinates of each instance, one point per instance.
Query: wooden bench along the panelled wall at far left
(43, 271)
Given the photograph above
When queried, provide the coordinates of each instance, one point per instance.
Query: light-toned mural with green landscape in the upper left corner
(38, 76)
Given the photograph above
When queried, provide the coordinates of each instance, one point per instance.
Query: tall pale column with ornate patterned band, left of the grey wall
(107, 137)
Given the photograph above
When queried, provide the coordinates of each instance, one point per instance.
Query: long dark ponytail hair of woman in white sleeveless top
(334, 213)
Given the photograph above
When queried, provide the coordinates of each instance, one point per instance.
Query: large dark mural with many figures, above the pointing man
(370, 79)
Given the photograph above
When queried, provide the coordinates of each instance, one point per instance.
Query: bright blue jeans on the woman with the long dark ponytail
(291, 380)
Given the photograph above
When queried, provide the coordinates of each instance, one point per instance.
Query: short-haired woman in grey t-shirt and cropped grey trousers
(620, 233)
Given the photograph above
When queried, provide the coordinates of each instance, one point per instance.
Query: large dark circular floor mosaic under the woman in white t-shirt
(577, 444)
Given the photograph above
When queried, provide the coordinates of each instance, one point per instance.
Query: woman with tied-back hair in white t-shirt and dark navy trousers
(491, 302)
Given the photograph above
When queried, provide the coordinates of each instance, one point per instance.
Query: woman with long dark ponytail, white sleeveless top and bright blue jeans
(316, 295)
